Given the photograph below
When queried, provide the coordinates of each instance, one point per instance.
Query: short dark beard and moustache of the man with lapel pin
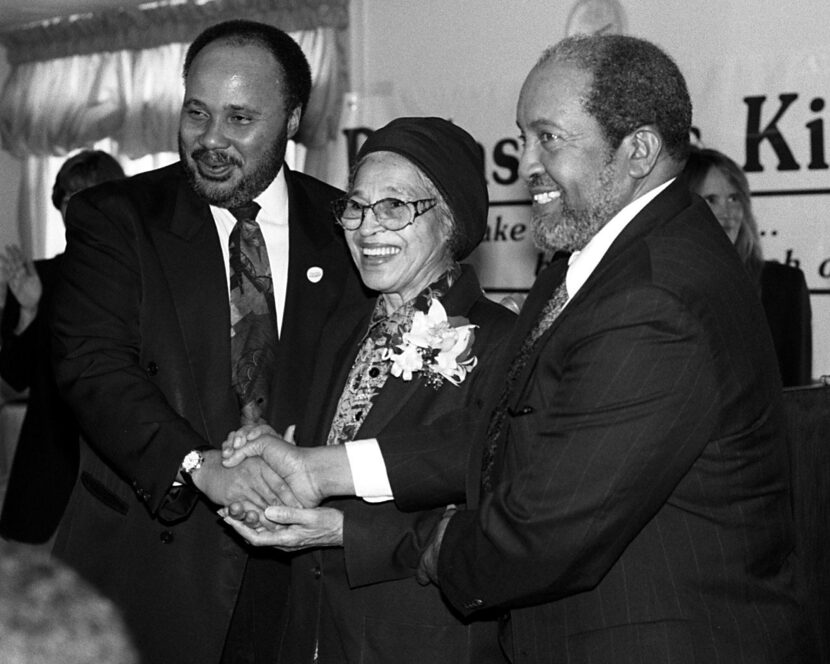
(218, 191)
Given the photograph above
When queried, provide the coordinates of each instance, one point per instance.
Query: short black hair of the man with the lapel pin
(296, 72)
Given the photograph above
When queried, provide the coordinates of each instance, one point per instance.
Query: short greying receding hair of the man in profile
(634, 83)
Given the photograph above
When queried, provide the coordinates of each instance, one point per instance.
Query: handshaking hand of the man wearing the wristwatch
(252, 482)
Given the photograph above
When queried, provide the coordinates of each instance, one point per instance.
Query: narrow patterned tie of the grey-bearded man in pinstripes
(546, 317)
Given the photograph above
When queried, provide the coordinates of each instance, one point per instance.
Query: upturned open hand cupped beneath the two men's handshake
(292, 529)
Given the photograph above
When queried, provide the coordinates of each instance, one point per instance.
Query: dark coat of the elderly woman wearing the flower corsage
(360, 603)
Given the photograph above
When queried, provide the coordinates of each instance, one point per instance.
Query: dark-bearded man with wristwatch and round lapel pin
(143, 351)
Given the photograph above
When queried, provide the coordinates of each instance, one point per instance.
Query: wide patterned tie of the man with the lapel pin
(253, 317)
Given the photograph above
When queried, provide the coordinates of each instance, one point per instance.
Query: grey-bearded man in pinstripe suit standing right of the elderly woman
(629, 485)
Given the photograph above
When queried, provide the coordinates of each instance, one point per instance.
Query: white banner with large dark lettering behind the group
(770, 116)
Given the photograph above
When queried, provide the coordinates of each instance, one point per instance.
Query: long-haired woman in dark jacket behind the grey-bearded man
(783, 289)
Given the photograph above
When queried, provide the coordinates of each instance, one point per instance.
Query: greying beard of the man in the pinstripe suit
(570, 229)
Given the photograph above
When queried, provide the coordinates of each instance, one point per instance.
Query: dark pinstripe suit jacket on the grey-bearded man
(641, 509)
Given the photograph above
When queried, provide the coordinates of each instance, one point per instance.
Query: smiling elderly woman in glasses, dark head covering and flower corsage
(417, 205)
